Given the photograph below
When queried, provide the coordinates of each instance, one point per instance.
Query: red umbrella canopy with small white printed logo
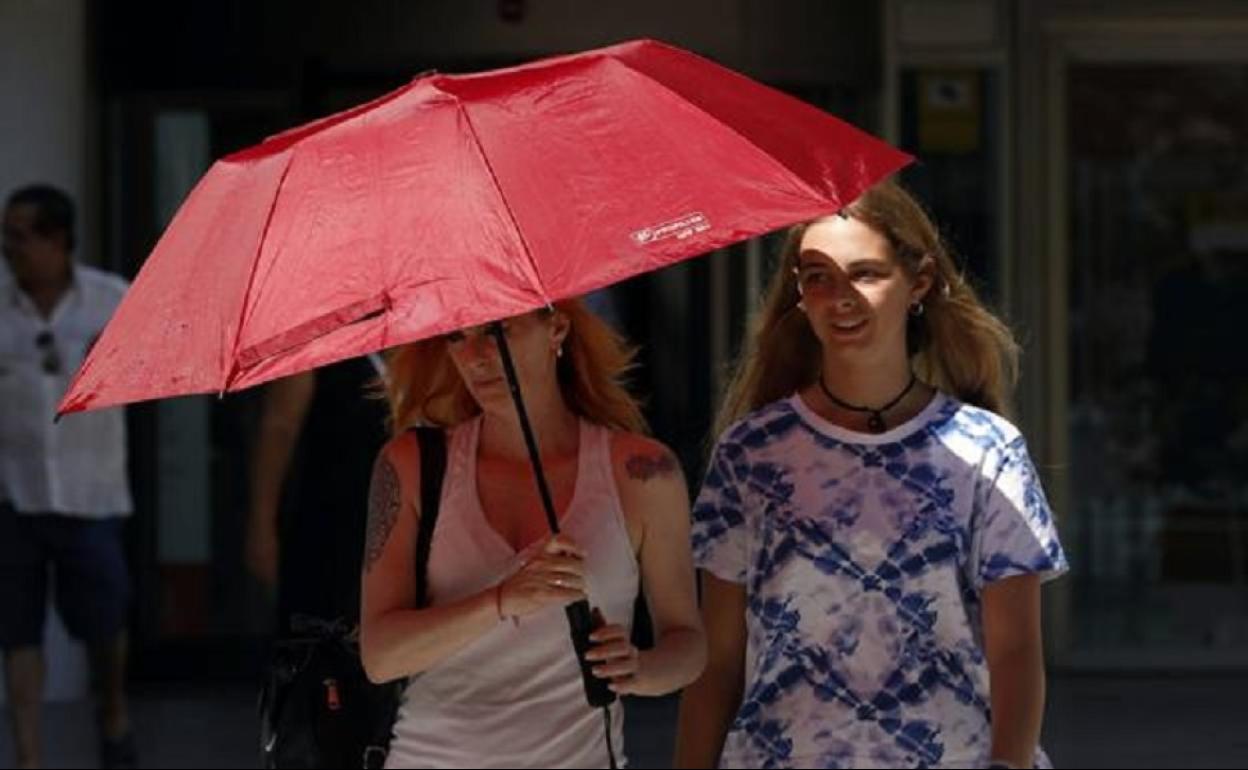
(460, 200)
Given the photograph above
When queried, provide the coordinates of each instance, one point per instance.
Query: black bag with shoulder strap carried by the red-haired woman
(318, 707)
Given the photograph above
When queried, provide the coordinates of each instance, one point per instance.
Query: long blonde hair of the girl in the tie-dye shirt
(958, 345)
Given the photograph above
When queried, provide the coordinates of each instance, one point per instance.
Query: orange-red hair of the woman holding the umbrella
(425, 387)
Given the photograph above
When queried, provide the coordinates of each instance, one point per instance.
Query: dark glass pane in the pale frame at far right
(1158, 279)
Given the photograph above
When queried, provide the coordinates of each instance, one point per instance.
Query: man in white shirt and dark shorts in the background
(64, 494)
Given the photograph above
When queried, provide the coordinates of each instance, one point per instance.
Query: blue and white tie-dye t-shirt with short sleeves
(864, 558)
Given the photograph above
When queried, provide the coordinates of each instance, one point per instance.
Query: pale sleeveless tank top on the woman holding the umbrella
(514, 698)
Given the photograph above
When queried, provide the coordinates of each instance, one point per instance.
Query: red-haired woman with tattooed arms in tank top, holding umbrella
(495, 680)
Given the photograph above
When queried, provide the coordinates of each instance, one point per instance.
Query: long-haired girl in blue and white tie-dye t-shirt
(872, 532)
